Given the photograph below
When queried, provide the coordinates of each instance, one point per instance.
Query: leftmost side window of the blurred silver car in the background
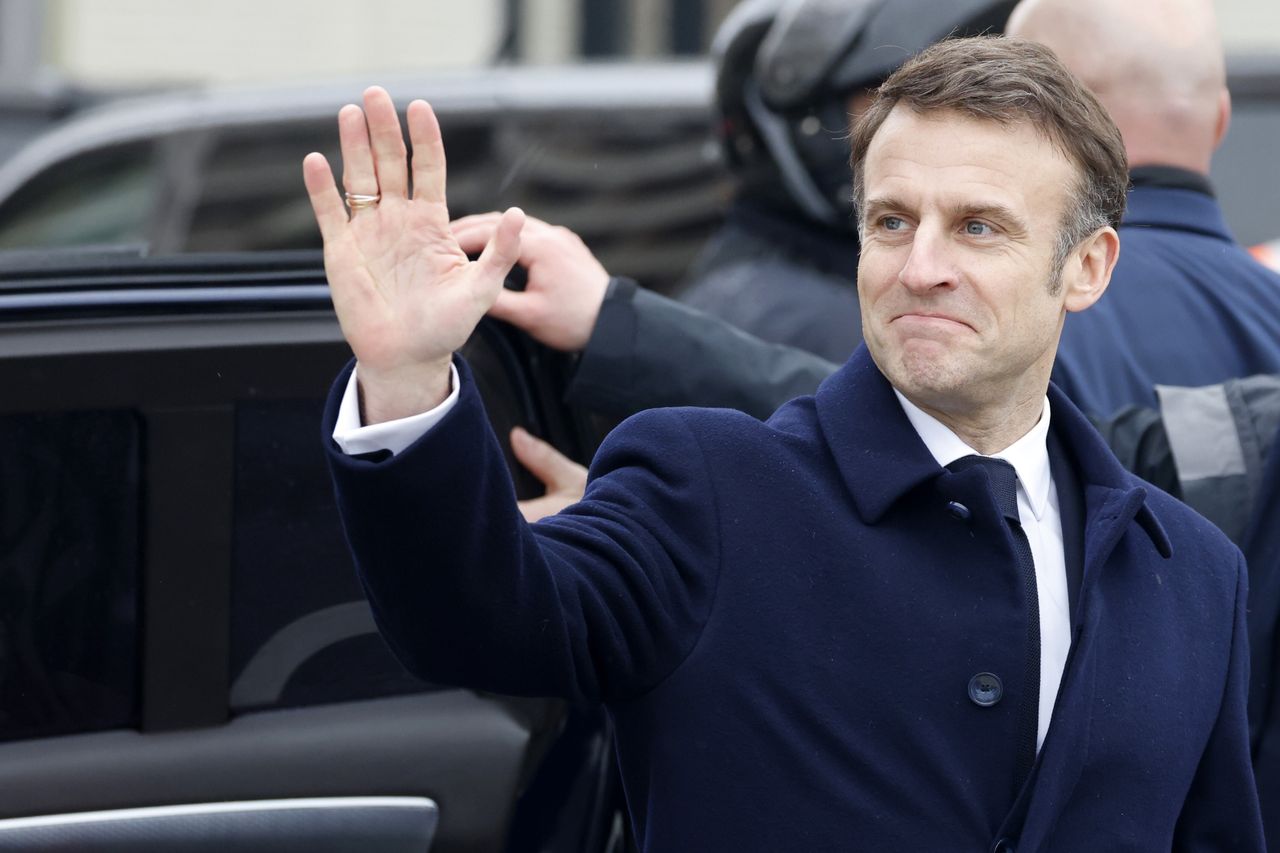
(103, 197)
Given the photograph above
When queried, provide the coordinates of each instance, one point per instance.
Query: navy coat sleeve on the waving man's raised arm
(600, 603)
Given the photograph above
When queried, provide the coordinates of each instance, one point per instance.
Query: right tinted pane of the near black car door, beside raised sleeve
(300, 630)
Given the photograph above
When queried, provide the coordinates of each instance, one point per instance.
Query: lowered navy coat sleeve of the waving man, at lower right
(1222, 809)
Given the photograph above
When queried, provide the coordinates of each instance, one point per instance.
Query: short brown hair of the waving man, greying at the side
(1013, 81)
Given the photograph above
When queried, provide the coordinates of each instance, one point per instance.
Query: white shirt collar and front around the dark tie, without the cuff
(1043, 523)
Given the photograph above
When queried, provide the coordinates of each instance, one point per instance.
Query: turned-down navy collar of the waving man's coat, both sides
(881, 458)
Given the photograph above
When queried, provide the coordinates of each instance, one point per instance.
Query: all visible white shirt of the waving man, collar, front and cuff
(1037, 507)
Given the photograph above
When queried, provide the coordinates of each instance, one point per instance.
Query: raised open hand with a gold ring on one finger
(405, 293)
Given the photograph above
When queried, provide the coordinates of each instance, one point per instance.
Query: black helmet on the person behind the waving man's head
(787, 70)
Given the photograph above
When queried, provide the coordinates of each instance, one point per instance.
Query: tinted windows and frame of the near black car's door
(171, 553)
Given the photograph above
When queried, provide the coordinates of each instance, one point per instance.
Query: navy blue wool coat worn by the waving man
(784, 618)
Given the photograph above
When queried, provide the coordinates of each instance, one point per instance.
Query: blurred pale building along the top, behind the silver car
(145, 43)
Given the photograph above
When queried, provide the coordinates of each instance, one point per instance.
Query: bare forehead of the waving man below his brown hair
(949, 158)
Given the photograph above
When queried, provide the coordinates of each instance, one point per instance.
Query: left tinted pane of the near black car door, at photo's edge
(70, 533)
